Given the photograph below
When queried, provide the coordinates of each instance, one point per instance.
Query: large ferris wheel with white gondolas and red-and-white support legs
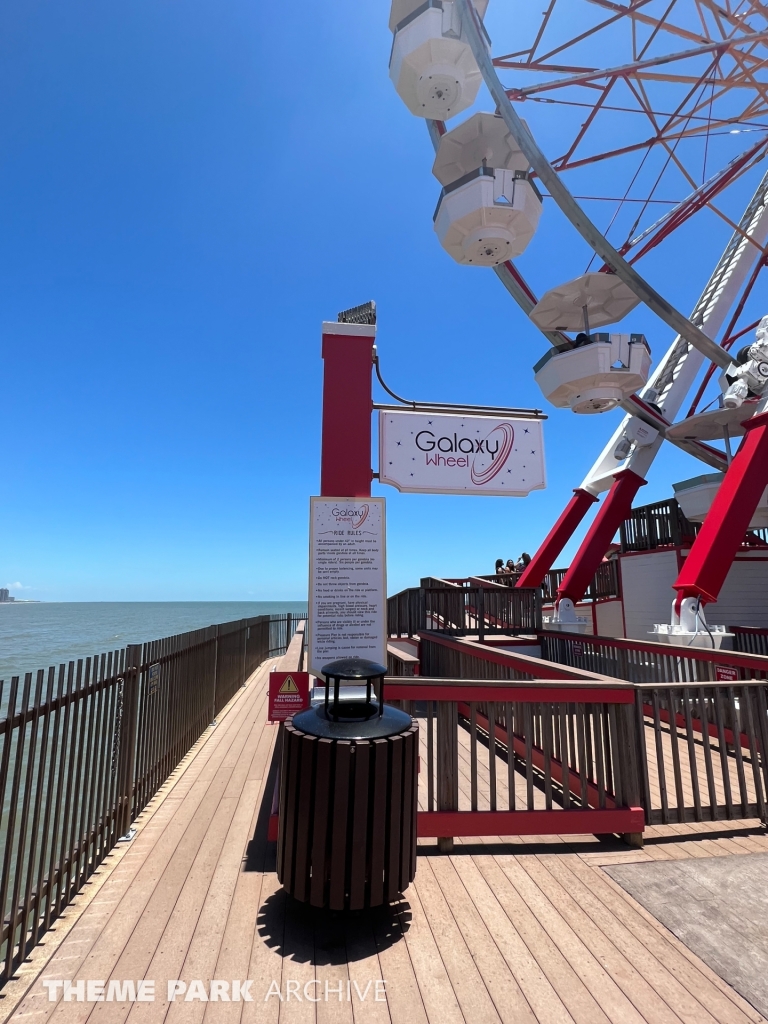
(642, 120)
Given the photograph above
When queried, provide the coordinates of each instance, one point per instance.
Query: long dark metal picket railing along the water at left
(86, 747)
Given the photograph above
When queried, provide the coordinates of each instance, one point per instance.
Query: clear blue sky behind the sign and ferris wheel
(187, 191)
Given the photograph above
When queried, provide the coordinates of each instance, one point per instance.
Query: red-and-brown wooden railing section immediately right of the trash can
(543, 715)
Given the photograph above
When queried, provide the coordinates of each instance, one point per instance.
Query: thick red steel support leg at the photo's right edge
(713, 551)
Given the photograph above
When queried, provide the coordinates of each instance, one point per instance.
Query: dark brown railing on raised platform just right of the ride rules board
(464, 611)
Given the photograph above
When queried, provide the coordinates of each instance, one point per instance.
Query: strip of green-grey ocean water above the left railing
(35, 636)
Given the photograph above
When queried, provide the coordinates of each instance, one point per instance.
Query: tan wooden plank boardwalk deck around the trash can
(504, 930)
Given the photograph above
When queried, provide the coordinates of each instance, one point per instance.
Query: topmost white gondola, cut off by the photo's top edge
(432, 64)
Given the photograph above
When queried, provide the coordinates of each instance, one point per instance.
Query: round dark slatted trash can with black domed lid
(347, 839)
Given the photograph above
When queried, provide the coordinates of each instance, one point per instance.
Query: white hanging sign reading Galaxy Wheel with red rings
(431, 453)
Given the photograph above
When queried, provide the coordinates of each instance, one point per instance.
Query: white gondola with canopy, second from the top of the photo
(489, 209)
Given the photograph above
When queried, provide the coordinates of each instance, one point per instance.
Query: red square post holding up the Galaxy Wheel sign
(348, 405)
